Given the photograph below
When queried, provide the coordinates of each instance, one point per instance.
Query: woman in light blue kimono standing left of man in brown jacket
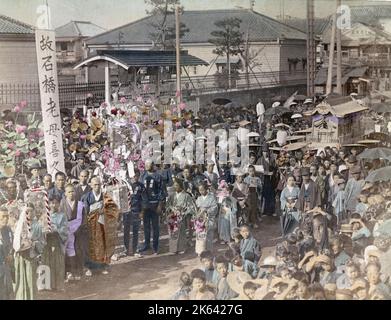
(290, 216)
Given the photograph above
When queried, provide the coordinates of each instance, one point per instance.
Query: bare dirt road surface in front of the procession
(151, 277)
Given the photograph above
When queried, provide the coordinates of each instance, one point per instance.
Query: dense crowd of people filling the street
(335, 227)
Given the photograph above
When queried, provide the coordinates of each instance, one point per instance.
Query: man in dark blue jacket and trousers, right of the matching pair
(155, 196)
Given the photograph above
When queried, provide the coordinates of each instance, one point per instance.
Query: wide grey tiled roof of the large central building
(201, 24)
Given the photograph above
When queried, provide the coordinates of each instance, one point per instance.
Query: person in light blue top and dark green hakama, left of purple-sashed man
(54, 252)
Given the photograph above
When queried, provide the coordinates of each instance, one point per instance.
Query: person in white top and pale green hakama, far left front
(29, 242)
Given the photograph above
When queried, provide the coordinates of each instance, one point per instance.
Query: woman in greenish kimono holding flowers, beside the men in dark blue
(180, 206)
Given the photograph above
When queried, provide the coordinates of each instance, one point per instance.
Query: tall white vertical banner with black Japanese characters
(48, 85)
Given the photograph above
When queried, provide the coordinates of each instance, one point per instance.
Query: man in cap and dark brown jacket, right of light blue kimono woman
(309, 196)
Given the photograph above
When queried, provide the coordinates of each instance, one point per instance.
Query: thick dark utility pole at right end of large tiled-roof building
(311, 49)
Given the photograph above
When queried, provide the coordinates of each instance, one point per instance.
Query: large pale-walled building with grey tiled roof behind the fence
(278, 51)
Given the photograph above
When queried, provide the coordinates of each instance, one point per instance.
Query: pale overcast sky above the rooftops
(113, 13)
